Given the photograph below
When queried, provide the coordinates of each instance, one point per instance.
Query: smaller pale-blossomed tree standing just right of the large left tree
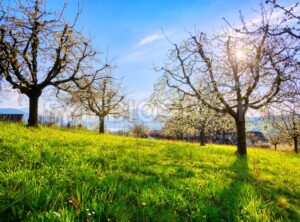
(105, 97)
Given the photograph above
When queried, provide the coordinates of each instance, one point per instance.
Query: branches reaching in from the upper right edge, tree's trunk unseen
(287, 27)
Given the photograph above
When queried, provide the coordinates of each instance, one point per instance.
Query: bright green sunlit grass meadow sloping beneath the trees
(60, 175)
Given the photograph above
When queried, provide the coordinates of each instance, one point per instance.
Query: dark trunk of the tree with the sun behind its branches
(241, 135)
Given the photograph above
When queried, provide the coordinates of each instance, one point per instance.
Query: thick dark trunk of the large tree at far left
(33, 108)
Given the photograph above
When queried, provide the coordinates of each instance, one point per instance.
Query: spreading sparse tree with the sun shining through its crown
(240, 72)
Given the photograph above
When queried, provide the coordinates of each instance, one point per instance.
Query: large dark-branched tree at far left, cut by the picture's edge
(42, 49)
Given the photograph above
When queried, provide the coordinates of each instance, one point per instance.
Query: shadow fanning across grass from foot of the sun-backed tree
(249, 199)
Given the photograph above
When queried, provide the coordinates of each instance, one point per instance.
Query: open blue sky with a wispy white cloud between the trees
(131, 32)
